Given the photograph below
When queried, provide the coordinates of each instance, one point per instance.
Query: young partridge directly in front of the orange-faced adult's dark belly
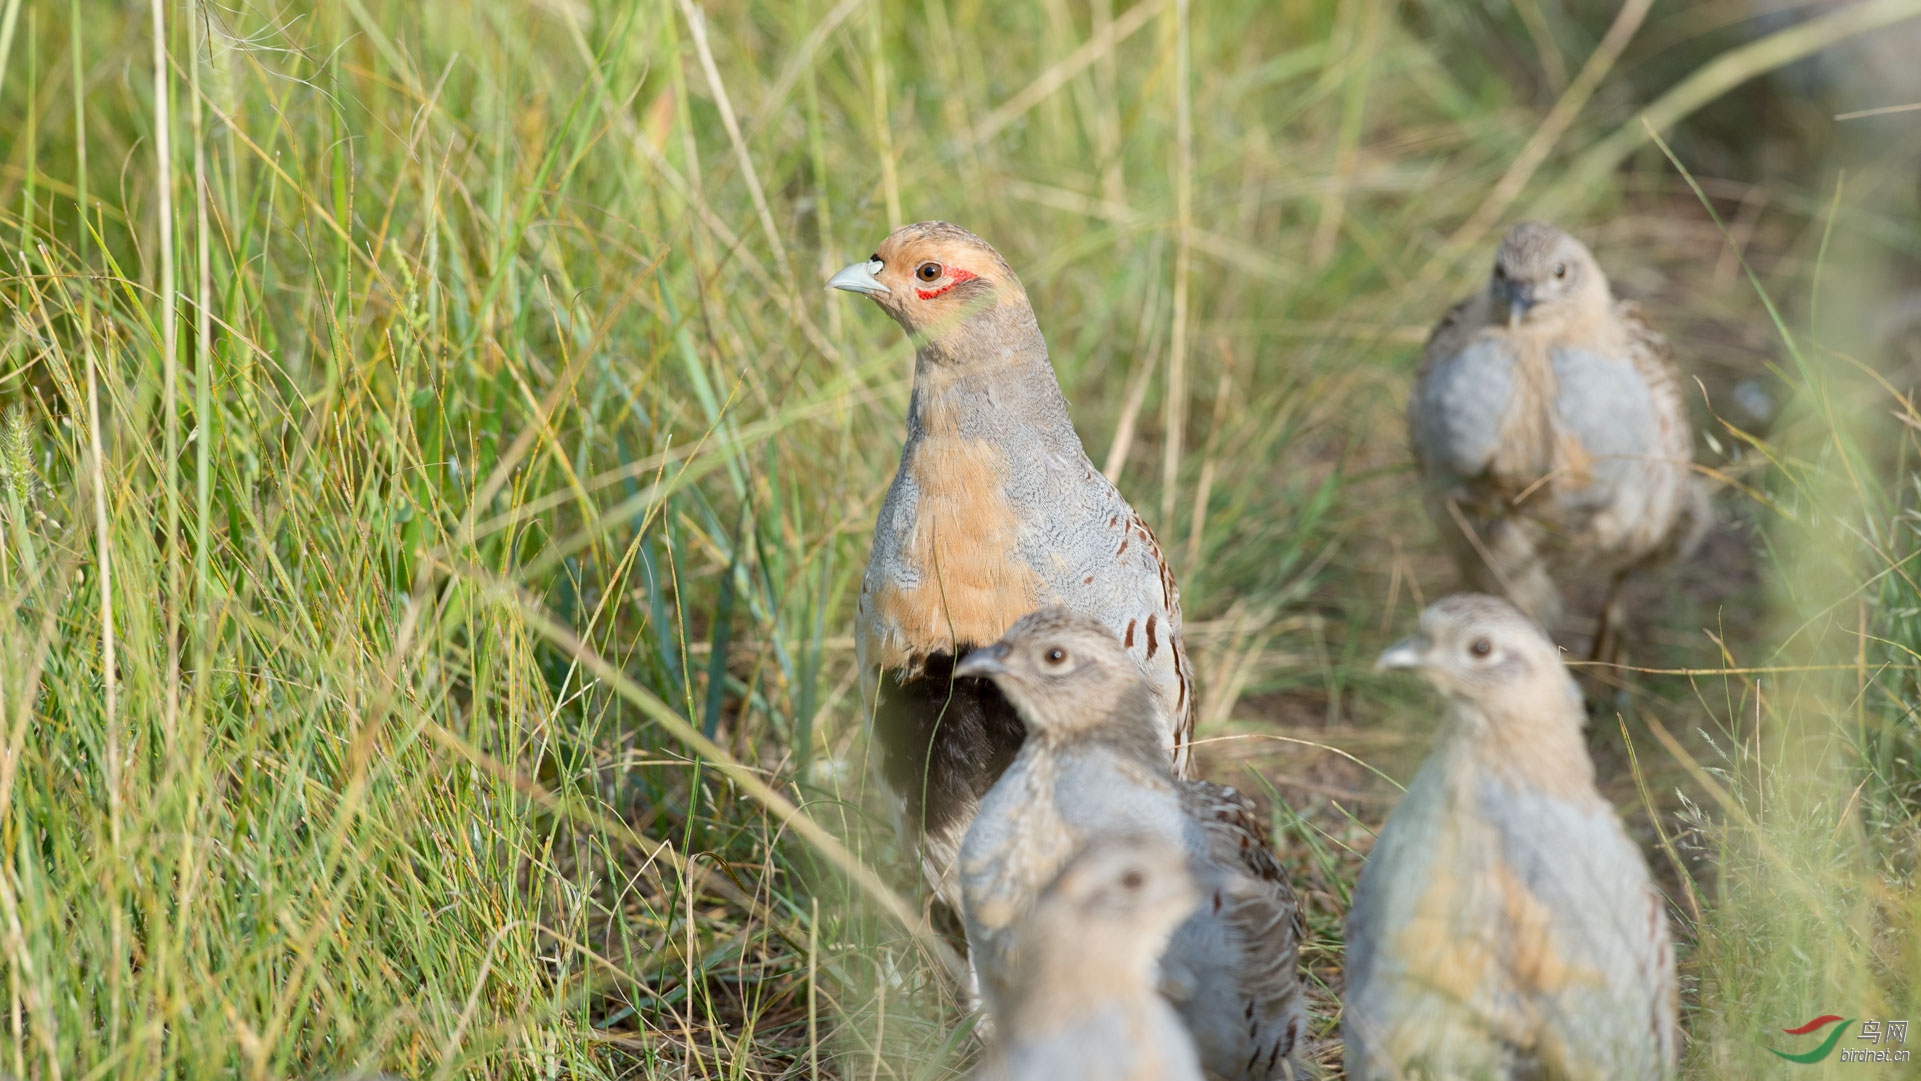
(1094, 765)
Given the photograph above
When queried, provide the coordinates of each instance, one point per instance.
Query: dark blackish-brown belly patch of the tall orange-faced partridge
(942, 740)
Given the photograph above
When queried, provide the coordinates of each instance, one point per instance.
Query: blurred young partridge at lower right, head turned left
(1505, 926)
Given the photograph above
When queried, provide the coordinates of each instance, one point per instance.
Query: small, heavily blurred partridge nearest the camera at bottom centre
(1086, 1003)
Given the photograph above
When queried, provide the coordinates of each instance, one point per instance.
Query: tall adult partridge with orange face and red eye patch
(994, 514)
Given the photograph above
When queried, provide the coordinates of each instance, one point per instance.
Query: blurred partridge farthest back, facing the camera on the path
(1551, 433)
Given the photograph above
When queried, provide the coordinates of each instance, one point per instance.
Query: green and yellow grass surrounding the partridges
(435, 487)
